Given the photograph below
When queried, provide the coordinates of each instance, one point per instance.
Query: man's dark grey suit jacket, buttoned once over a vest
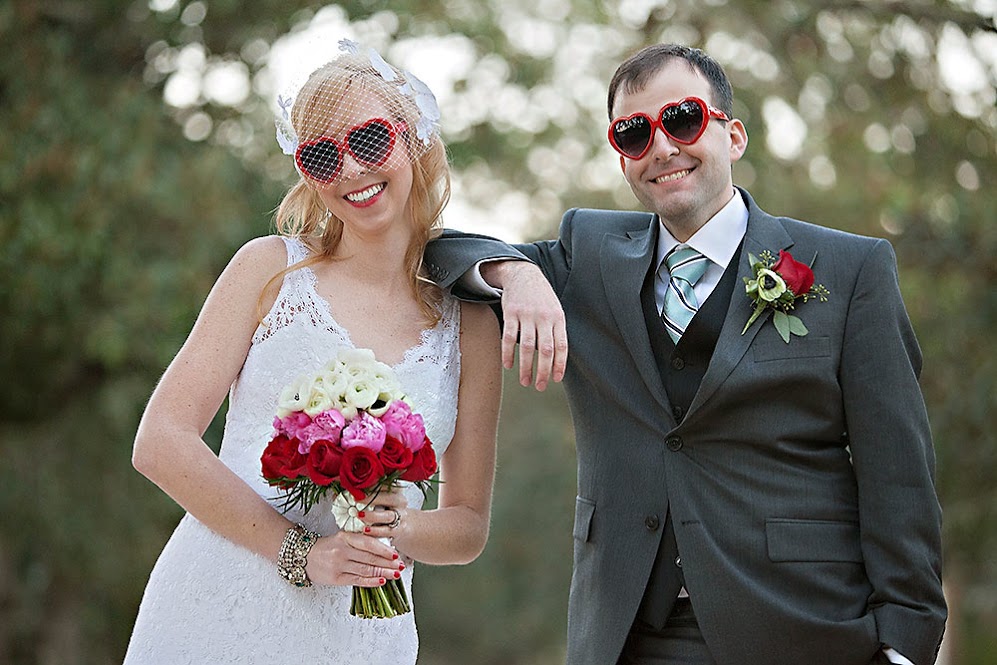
(801, 480)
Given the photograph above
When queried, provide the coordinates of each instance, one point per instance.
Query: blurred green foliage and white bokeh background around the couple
(137, 153)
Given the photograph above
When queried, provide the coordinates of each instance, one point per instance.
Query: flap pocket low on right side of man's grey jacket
(813, 540)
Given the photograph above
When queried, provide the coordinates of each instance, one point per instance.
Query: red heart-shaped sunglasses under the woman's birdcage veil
(370, 143)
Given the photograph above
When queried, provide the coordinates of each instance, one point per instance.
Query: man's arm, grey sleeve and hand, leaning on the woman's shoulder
(527, 278)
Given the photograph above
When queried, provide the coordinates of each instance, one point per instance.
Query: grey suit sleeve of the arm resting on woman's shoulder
(453, 254)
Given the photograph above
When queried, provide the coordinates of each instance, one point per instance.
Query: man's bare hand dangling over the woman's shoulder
(532, 315)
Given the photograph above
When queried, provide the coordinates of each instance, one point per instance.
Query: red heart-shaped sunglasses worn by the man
(683, 122)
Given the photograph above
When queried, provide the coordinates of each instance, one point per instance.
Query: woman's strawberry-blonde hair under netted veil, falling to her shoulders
(301, 213)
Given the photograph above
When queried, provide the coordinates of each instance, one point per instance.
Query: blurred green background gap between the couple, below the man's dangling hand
(509, 606)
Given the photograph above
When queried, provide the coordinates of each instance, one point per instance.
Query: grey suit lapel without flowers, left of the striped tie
(625, 261)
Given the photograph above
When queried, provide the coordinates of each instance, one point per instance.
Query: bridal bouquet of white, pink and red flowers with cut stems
(349, 430)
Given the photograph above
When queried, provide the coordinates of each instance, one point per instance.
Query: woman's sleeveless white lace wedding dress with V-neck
(211, 601)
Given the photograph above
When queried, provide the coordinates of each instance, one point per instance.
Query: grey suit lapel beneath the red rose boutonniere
(763, 232)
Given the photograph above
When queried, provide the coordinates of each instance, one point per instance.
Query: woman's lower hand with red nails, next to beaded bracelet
(352, 559)
